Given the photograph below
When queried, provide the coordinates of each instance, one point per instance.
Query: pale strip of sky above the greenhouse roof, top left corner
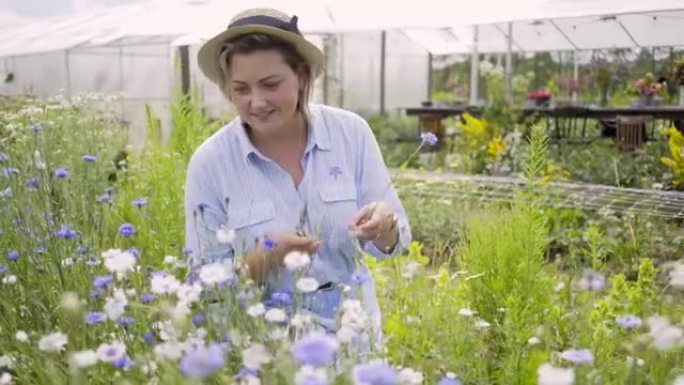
(46, 8)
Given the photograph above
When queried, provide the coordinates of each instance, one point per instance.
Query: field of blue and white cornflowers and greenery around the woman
(93, 277)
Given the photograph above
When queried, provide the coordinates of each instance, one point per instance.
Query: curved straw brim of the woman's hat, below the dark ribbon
(208, 55)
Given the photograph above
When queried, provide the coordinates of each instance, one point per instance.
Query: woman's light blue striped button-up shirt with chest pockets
(231, 184)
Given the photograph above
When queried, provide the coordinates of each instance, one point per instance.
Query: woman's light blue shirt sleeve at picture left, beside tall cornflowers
(204, 216)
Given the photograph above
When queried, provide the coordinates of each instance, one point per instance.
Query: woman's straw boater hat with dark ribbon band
(258, 20)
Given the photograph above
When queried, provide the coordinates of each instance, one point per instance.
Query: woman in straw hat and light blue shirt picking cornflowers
(286, 175)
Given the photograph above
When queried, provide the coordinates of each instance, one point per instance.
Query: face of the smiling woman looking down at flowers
(264, 89)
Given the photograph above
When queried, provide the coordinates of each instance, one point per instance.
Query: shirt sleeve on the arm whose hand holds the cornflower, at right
(374, 184)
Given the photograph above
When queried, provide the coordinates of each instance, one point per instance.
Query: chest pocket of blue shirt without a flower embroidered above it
(251, 222)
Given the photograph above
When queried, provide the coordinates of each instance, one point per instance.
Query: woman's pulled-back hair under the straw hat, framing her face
(261, 42)
